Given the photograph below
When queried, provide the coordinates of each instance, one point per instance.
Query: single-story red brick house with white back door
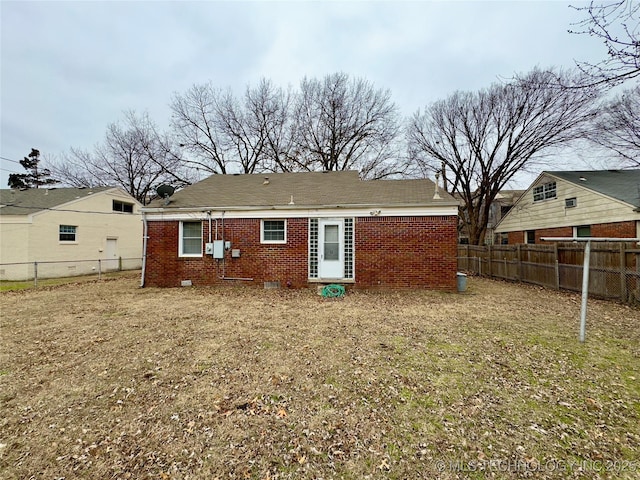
(297, 229)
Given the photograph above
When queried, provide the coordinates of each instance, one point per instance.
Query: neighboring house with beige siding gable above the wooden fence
(598, 203)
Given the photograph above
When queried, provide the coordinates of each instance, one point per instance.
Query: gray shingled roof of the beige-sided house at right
(622, 185)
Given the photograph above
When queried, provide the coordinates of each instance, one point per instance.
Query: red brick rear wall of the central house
(389, 252)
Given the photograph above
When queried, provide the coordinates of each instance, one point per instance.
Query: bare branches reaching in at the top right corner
(617, 24)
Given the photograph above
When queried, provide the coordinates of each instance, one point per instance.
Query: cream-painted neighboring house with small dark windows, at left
(67, 227)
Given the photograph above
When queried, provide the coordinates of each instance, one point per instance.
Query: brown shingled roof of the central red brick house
(309, 189)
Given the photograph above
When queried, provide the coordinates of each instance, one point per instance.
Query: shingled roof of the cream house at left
(32, 200)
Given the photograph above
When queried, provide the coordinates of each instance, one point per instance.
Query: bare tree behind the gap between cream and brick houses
(133, 156)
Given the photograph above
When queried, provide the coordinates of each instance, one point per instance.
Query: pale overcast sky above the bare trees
(68, 69)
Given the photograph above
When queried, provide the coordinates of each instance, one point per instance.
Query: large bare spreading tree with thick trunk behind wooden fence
(479, 141)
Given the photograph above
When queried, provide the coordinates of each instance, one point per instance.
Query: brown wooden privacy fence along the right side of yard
(614, 267)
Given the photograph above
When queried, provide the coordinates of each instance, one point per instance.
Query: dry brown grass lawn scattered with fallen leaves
(107, 380)
